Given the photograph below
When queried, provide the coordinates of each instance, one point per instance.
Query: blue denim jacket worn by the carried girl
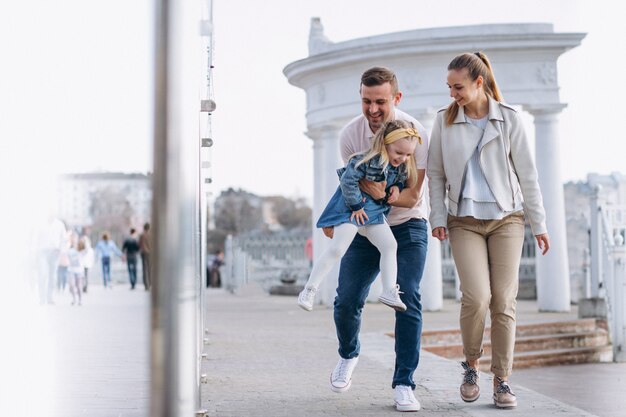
(350, 175)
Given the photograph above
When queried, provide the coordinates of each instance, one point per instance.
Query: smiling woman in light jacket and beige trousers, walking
(480, 160)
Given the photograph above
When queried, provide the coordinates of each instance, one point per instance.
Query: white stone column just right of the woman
(553, 290)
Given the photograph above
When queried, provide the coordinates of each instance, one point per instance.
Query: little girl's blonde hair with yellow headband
(378, 147)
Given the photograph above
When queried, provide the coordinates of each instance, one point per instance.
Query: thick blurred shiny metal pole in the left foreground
(173, 379)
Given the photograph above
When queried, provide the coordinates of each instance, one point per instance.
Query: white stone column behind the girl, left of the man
(326, 160)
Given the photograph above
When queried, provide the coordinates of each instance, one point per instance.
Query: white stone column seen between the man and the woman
(431, 287)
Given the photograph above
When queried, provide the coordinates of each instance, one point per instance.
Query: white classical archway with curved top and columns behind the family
(524, 57)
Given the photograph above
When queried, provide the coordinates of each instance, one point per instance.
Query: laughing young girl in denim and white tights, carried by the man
(350, 211)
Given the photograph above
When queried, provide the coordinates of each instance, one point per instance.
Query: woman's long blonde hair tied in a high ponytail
(476, 64)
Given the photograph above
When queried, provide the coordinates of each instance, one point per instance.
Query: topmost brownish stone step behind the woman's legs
(453, 335)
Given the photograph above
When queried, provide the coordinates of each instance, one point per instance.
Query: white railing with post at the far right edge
(608, 267)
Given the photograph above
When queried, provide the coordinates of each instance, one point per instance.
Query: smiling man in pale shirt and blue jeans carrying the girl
(360, 265)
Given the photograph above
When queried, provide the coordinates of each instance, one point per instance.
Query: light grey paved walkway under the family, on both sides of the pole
(267, 358)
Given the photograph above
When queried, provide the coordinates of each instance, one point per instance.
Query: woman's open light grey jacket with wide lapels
(505, 159)
